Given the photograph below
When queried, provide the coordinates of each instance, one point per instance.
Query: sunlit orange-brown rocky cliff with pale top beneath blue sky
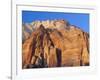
(55, 45)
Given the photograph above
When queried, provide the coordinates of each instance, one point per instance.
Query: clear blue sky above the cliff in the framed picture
(78, 19)
